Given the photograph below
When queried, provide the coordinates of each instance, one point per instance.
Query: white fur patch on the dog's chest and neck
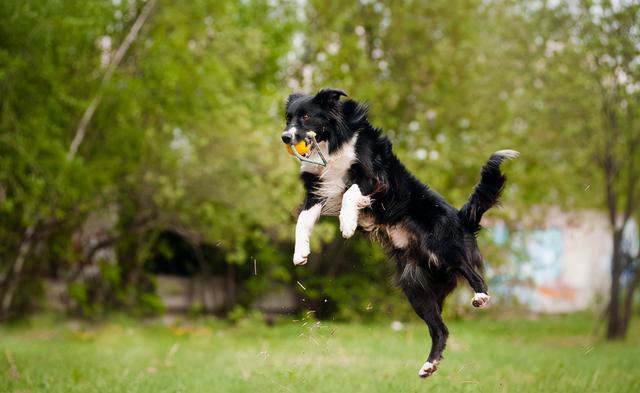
(332, 184)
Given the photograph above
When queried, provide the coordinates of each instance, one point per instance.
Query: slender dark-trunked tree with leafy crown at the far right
(587, 78)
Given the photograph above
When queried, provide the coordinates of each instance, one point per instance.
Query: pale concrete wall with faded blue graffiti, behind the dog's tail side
(566, 263)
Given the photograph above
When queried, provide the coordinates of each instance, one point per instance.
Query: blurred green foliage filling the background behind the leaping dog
(182, 158)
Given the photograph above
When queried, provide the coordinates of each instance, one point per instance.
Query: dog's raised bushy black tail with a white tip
(486, 193)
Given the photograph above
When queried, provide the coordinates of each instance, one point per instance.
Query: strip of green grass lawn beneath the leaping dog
(484, 355)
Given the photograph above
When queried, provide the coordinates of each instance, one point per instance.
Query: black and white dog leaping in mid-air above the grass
(366, 186)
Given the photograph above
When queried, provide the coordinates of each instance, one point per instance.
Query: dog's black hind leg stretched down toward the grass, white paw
(425, 303)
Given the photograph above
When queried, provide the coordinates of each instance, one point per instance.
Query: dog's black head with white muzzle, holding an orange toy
(320, 113)
